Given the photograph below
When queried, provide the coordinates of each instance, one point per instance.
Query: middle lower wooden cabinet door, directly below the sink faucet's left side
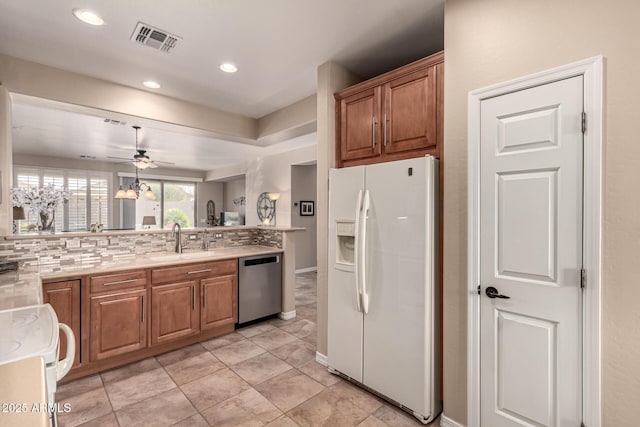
(174, 311)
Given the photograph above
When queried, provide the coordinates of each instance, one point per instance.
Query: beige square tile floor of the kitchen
(265, 374)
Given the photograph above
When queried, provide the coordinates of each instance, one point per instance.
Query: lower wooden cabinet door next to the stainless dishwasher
(219, 301)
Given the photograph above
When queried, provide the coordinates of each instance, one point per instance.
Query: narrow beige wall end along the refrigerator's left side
(331, 78)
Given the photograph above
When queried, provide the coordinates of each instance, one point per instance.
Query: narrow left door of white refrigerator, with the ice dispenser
(344, 346)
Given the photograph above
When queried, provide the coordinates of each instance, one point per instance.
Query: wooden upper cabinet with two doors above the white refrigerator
(395, 116)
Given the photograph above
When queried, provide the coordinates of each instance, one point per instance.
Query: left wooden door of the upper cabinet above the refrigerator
(359, 125)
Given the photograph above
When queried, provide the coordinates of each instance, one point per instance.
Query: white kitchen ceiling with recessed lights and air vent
(277, 44)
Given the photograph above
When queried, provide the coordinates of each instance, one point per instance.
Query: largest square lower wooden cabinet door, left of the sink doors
(118, 324)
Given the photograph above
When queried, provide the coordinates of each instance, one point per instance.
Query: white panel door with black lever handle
(531, 252)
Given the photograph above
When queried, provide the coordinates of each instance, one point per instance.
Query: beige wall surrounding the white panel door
(491, 41)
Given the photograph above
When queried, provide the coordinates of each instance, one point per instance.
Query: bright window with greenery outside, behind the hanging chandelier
(175, 203)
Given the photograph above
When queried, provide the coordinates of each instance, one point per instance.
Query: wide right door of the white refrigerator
(400, 276)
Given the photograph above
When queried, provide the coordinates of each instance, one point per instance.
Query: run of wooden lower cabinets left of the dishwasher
(125, 316)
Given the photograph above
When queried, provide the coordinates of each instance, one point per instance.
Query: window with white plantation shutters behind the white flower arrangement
(90, 200)
